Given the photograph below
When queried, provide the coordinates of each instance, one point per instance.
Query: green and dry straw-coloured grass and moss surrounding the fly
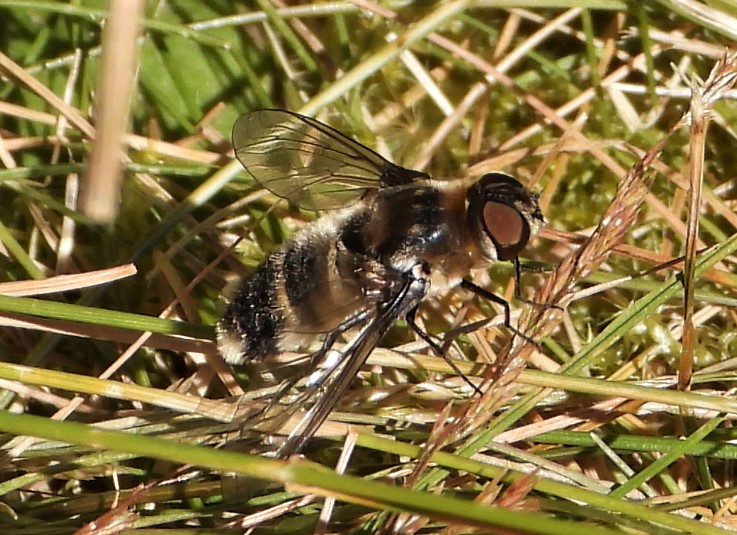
(124, 218)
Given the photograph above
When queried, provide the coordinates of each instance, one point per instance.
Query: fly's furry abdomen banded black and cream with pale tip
(304, 290)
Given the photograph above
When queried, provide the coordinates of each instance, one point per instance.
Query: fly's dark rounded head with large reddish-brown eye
(503, 215)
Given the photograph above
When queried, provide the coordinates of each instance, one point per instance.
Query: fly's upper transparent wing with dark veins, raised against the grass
(309, 163)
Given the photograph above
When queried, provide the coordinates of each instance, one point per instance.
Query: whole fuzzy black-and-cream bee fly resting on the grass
(393, 237)
